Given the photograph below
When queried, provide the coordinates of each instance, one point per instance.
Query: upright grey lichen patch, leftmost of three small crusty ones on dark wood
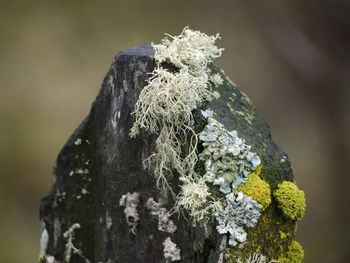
(131, 202)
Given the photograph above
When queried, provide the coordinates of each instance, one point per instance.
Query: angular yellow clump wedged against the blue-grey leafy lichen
(257, 189)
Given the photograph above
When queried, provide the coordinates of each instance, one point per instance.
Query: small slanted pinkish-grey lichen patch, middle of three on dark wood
(165, 223)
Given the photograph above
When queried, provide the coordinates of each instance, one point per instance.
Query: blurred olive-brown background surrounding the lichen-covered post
(291, 57)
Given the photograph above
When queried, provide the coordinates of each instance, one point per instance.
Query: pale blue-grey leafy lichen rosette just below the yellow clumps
(241, 210)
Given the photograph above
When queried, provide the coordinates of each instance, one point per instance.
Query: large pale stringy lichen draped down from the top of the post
(165, 105)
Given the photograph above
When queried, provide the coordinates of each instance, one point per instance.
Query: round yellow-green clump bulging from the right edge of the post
(291, 200)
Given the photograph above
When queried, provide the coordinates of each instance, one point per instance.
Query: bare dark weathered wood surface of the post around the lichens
(100, 163)
